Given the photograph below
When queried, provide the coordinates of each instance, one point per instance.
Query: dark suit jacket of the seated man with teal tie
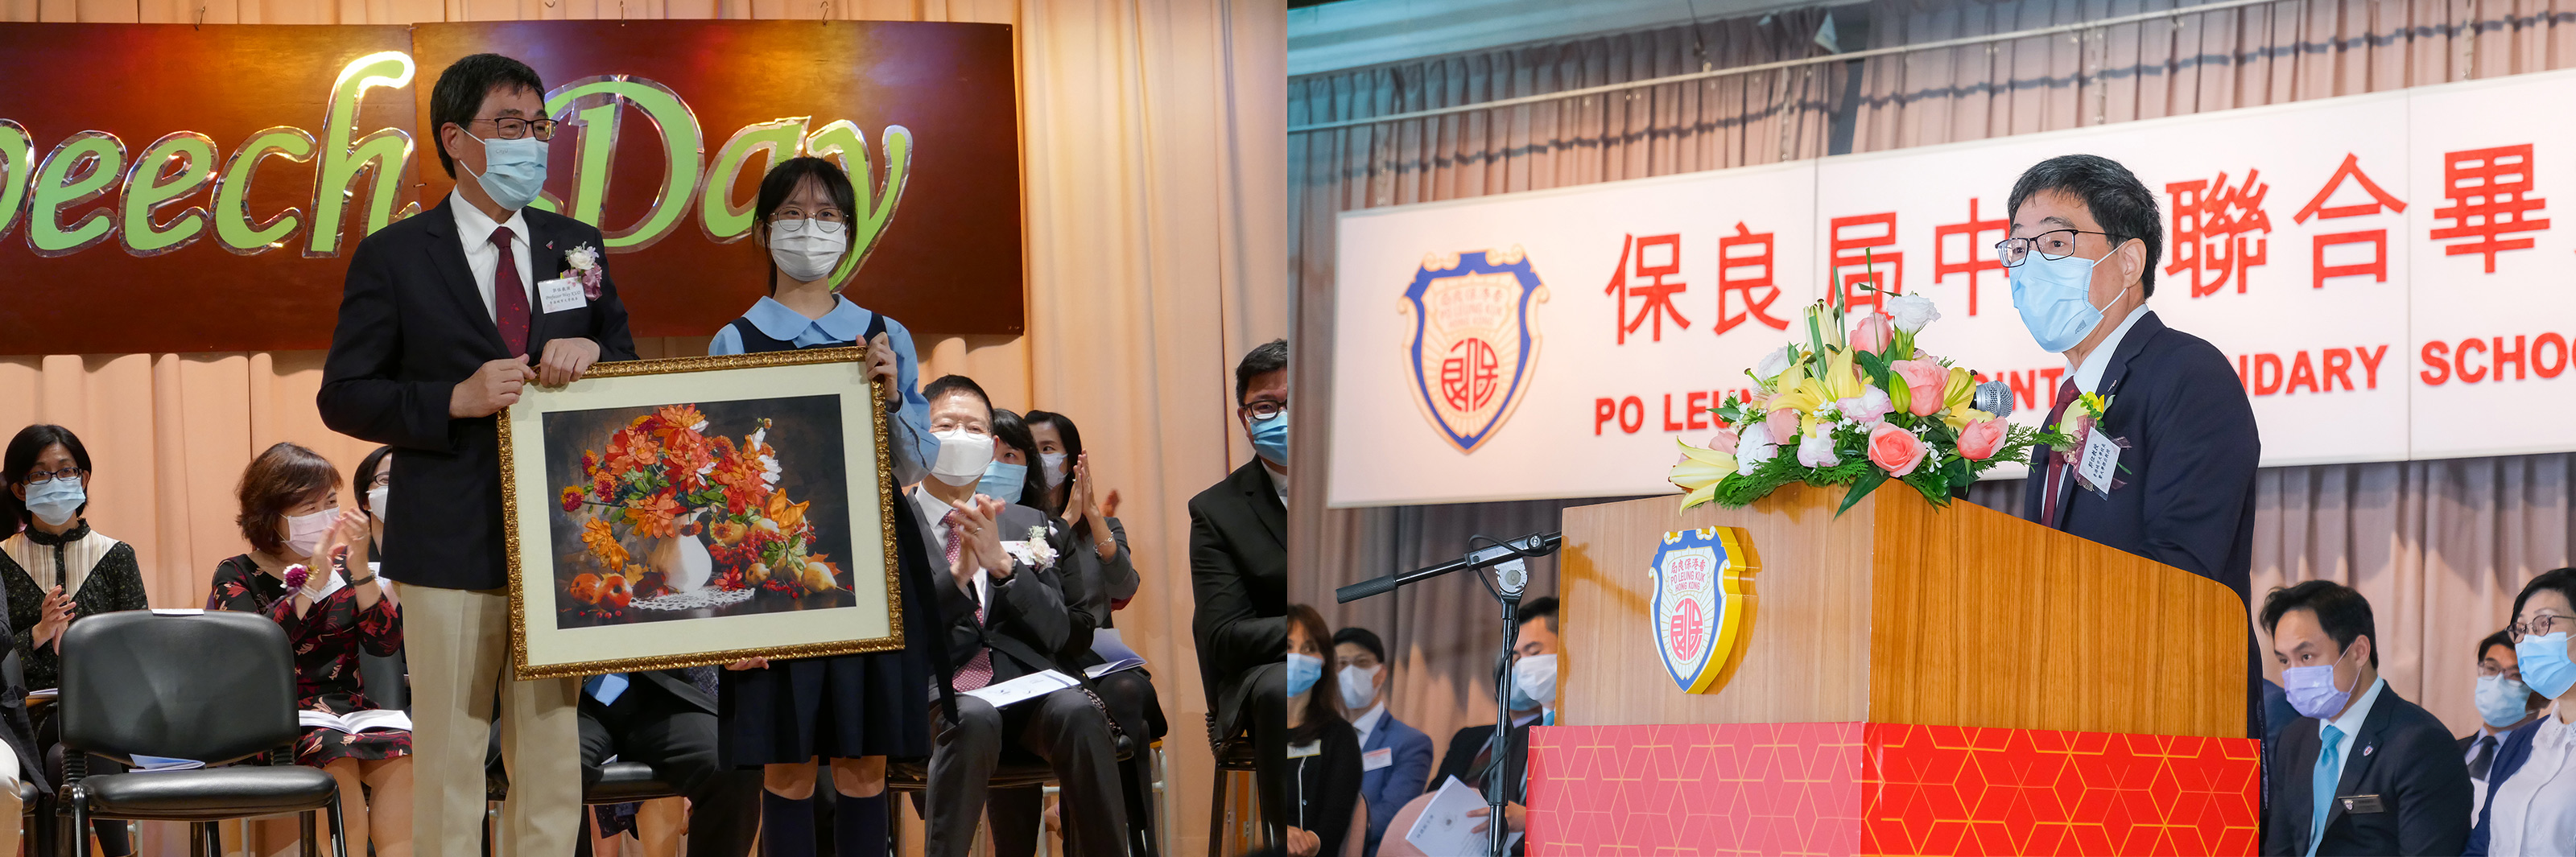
(2402, 755)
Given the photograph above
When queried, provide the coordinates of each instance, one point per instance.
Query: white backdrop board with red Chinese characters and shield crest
(2376, 266)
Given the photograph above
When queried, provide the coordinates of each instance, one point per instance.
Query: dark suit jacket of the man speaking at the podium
(2188, 495)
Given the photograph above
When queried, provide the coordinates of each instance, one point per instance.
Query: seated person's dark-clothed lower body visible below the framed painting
(668, 719)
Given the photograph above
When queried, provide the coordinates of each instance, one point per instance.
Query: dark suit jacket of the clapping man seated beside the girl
(1027, 622)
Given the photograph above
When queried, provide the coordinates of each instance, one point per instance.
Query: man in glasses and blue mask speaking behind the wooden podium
(2173, 416)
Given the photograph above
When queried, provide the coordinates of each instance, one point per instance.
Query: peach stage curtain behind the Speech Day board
(1153, 171)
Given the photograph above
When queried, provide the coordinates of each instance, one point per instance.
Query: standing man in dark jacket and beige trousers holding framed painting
(442, 323)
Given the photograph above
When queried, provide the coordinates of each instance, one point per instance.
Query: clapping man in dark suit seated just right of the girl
(1006, 619)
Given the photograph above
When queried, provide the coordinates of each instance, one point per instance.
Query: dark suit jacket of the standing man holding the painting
(413, 326)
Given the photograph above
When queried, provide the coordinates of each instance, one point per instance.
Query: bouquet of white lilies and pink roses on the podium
(1853, 405)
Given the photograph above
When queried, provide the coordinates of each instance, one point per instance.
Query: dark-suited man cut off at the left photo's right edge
(1240, 575)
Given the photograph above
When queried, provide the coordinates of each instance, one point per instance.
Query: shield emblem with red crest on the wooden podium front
(1704, 604)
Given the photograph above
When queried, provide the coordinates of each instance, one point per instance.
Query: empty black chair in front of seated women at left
(215, 688)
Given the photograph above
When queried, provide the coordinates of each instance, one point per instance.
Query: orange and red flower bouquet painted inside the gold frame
(676, 519)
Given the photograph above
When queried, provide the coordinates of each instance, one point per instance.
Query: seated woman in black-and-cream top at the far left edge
(58, 573)
